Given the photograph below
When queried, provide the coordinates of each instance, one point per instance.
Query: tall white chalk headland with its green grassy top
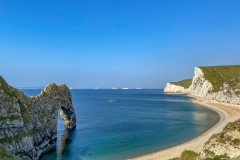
(217, 83)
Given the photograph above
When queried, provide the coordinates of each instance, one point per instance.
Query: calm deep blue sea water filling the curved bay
(137, 123)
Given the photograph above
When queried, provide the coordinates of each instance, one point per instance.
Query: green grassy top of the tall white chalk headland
(217, 75)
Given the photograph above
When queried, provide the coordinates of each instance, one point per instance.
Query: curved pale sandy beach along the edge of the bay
(228, 113)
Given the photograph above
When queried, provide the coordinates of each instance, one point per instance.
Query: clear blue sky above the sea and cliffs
(115, 43)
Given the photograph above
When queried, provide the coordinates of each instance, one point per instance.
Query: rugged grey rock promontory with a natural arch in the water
(28, 126)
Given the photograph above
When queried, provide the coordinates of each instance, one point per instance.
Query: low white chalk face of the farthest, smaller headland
(172, 88)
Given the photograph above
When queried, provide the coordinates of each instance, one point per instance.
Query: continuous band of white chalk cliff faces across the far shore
(228, 92)
